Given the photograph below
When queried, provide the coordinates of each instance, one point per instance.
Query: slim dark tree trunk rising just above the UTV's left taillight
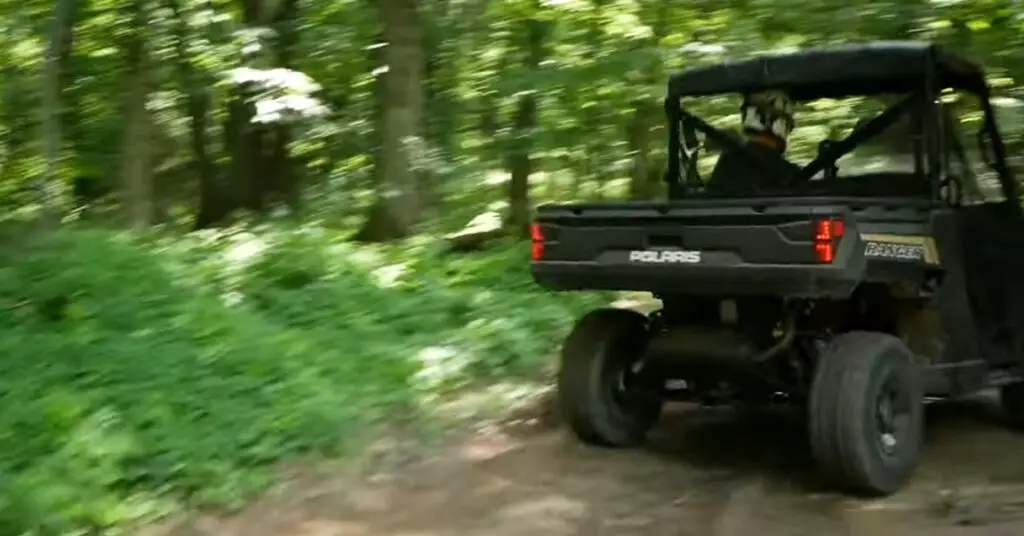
(525, 125)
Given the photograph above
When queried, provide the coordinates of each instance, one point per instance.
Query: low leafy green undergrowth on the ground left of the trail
(142, 376)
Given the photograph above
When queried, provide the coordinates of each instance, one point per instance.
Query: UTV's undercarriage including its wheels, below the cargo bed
(847, 363)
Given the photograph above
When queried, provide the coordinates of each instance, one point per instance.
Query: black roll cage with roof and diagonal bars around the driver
(921, 70)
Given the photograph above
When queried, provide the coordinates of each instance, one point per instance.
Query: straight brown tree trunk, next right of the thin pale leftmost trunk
(137, 172)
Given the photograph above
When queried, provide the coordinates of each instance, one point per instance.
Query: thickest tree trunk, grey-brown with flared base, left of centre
(398, 209)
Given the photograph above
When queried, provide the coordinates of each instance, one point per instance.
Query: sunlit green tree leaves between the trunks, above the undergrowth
(603, 60)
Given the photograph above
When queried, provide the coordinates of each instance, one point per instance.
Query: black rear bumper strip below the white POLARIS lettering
(797, 281)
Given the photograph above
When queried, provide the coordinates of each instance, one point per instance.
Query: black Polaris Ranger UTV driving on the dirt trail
(886, 271)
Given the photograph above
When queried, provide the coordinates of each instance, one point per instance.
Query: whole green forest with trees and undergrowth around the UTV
(237, 233)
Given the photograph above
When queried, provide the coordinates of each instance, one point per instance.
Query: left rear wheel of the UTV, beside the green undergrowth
(604, 396)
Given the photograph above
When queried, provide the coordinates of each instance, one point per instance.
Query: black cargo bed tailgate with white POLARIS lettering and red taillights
(700, 248)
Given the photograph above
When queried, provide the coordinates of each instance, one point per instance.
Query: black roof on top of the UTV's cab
(872, 68)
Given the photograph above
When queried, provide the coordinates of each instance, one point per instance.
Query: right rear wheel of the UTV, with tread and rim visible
(867, 414)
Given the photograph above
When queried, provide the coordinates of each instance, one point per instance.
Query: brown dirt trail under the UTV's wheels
(706, 473)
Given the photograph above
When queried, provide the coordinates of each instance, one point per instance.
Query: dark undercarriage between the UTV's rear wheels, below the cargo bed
(757, 349)
